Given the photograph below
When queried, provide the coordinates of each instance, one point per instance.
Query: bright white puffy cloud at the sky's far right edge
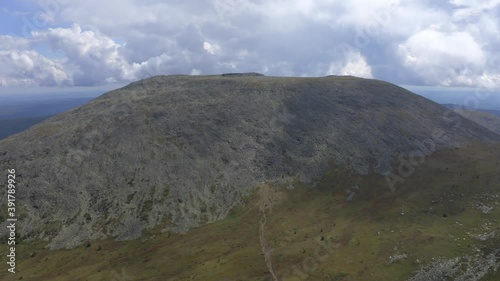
(459, 52)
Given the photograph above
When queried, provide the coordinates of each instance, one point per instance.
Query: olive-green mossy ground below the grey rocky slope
(315, 233)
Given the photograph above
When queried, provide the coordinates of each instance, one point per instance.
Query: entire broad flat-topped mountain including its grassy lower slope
(248, 177)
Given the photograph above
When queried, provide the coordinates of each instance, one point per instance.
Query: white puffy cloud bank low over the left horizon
(90, 58)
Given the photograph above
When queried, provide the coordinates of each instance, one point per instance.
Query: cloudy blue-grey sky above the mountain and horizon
(422, 43)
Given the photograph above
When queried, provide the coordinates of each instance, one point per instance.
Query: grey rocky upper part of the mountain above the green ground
(179, 151)
